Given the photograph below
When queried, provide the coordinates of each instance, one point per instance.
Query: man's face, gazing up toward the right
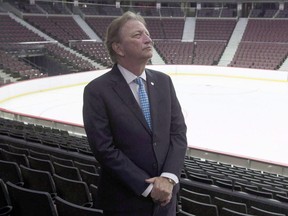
(135, 43)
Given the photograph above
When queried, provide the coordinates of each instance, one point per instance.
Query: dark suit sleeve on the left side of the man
(98, 130)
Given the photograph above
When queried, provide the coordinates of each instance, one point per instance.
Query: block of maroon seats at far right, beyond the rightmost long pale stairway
(263, 45)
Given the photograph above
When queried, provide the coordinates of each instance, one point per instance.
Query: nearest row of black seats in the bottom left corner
(21, 201)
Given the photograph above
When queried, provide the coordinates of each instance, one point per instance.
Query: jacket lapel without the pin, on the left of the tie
(123, 90)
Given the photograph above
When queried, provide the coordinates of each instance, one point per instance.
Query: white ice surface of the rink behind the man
(241, 116)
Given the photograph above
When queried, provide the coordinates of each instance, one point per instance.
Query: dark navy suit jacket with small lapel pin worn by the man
(119, 136)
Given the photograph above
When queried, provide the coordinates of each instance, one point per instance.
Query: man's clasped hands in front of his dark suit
(162, 190)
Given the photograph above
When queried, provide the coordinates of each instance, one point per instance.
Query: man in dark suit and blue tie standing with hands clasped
(141, 156)
